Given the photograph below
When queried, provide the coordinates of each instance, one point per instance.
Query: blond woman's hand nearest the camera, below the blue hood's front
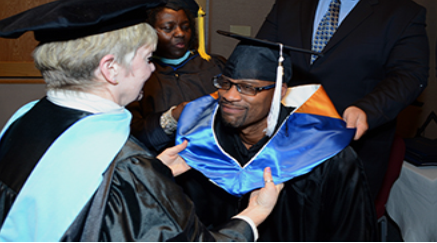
(262, 201)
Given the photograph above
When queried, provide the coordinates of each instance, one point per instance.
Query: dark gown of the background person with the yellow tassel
(169, 86)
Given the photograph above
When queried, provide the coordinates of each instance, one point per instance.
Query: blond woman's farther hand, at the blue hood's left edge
(171, 158)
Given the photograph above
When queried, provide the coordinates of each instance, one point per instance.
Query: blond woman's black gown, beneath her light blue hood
(137, 201)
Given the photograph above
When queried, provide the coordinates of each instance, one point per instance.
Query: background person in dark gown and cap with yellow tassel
(182, 74)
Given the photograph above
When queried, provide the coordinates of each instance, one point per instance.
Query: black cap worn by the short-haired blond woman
(71, 19)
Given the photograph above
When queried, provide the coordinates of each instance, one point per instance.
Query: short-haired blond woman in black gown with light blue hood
(69, 169)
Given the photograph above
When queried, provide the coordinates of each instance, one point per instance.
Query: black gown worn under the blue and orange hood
(330, 203)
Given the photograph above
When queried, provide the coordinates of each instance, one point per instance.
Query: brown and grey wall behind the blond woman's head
(20, 81)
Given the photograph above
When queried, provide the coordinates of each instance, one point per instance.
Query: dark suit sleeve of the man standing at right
(406, 72)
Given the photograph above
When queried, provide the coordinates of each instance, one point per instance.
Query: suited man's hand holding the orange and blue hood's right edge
(356, 118)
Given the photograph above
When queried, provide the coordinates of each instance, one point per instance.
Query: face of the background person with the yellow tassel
(174, 33)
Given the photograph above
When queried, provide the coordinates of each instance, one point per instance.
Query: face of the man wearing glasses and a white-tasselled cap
(241, 111)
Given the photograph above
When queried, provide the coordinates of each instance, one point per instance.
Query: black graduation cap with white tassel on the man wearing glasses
(262, 60)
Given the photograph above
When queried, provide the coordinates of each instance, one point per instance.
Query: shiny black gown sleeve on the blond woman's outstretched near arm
(145, 204)
